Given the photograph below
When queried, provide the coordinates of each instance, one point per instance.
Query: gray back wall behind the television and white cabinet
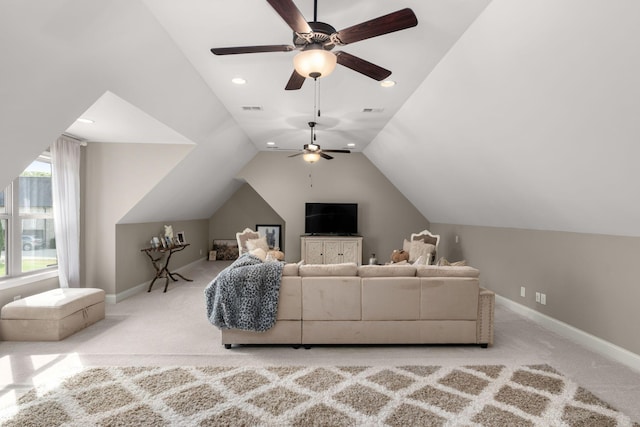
(385, 216)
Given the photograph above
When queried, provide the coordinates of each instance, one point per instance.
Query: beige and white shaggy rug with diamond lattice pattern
(484, 395)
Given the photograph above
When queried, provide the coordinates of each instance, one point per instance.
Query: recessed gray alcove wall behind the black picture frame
(244, 209)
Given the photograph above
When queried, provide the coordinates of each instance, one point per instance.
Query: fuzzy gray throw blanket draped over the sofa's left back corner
(245, 295)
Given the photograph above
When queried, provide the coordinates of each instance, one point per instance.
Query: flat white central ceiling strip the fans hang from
(196, 26)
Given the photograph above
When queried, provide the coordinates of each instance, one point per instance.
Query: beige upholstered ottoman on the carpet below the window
(51, 315)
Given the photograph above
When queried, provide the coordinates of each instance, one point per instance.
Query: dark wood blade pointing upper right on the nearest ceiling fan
(386, 24)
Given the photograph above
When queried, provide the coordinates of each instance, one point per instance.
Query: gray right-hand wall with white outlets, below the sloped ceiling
(589, 279)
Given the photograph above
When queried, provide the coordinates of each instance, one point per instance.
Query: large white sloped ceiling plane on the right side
(530, 121)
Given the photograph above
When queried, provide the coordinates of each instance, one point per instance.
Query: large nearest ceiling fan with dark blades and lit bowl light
(316, 39)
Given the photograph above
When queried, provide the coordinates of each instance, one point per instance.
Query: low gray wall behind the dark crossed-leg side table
(133, 267)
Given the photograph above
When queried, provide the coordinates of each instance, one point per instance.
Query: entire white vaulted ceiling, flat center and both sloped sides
(506, 113)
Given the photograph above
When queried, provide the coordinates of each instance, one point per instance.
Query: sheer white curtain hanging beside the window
(65, 160)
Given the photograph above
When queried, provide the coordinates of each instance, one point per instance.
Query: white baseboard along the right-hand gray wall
(593, 343)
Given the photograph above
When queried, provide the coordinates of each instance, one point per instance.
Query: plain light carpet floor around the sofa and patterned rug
(164, 330)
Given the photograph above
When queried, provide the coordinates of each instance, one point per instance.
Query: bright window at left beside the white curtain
(27, 236)
